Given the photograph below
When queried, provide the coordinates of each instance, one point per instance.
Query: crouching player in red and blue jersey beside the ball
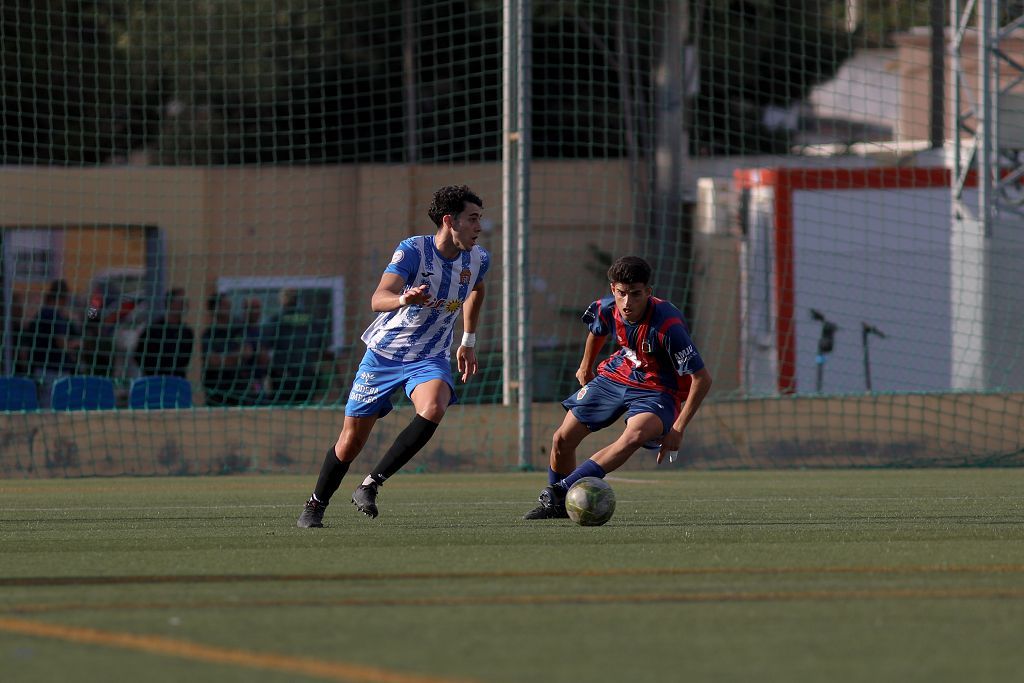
(657, 379)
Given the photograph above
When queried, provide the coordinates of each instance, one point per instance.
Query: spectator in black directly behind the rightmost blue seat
(165, 347)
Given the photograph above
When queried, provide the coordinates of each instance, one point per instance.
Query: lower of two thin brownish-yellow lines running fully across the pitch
(568, 599)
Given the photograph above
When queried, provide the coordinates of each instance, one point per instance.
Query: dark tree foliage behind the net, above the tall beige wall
(323, 81)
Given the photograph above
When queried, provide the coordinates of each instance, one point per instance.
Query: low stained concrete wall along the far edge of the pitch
(865, 432)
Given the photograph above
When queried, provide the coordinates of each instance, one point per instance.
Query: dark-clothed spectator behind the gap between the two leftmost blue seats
(51, 341)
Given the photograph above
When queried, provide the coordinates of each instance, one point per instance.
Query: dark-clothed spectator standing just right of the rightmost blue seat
(227, 357)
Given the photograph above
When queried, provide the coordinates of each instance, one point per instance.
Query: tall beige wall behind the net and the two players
(305, 222)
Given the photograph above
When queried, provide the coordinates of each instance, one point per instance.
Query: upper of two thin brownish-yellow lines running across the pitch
(28, 582)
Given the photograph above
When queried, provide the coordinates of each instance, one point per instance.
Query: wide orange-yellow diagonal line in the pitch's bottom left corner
(334, 671)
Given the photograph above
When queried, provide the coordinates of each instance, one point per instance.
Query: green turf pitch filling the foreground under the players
(790, 576)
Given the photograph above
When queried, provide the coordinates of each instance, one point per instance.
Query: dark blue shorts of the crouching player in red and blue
(603, 402)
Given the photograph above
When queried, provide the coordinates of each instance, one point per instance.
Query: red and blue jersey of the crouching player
(655, 354)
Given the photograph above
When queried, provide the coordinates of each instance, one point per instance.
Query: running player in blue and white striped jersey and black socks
(431, 280)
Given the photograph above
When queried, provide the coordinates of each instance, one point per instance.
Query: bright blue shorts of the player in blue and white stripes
(378, 377)
